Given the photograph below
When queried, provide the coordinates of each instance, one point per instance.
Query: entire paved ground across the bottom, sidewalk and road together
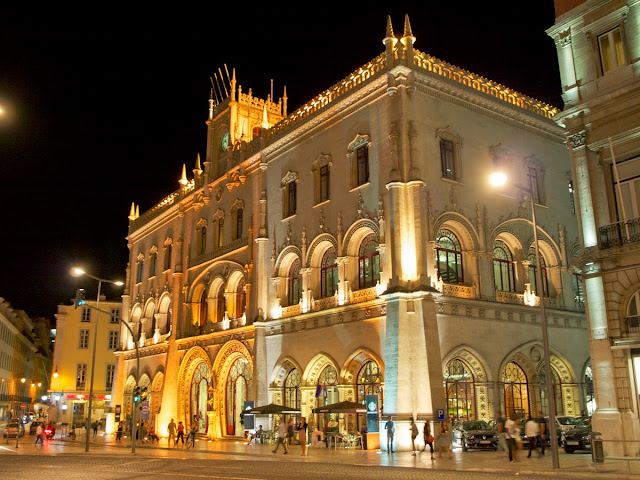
(232, 458)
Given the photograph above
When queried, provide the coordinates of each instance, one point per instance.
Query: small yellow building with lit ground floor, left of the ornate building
(72, 356)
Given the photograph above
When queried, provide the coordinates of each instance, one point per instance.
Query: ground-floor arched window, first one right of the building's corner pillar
(460, 390)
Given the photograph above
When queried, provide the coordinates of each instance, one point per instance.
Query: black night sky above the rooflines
(104, 107)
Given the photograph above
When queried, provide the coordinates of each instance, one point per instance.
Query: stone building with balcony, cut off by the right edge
(598, 46)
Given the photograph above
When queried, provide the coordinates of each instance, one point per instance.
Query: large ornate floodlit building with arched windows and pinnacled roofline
(354, 247)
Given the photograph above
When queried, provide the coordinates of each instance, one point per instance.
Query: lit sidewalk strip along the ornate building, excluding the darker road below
(575, 465)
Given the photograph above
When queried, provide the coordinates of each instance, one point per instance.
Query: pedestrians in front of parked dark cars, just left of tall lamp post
(510, 439)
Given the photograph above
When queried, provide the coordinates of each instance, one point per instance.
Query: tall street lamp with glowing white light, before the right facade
(499, 179)
